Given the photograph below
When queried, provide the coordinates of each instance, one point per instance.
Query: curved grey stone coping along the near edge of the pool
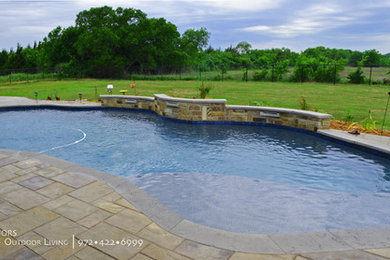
(298, 243)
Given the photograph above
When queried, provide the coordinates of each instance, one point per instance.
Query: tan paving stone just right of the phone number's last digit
(159, 236)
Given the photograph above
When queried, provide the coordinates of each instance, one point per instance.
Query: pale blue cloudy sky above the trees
(295, 24)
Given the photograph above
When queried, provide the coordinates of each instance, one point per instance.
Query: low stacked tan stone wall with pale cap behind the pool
(217, 110)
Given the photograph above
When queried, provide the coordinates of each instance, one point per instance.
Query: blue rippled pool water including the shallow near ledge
(240, 178)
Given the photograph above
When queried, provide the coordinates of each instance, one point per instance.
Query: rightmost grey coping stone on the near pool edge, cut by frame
(365, 238)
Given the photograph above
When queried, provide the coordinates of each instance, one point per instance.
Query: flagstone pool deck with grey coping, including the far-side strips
(45, 201)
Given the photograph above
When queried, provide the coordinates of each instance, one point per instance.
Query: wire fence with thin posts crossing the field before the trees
(330, 73)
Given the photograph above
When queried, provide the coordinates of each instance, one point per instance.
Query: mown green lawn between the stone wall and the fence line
(339, 100)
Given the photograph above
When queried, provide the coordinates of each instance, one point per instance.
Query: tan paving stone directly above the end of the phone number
(129, 220)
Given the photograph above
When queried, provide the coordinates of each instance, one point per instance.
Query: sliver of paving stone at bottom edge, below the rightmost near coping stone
(352, 254)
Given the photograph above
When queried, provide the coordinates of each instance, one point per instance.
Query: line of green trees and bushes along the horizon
(113, 43)
